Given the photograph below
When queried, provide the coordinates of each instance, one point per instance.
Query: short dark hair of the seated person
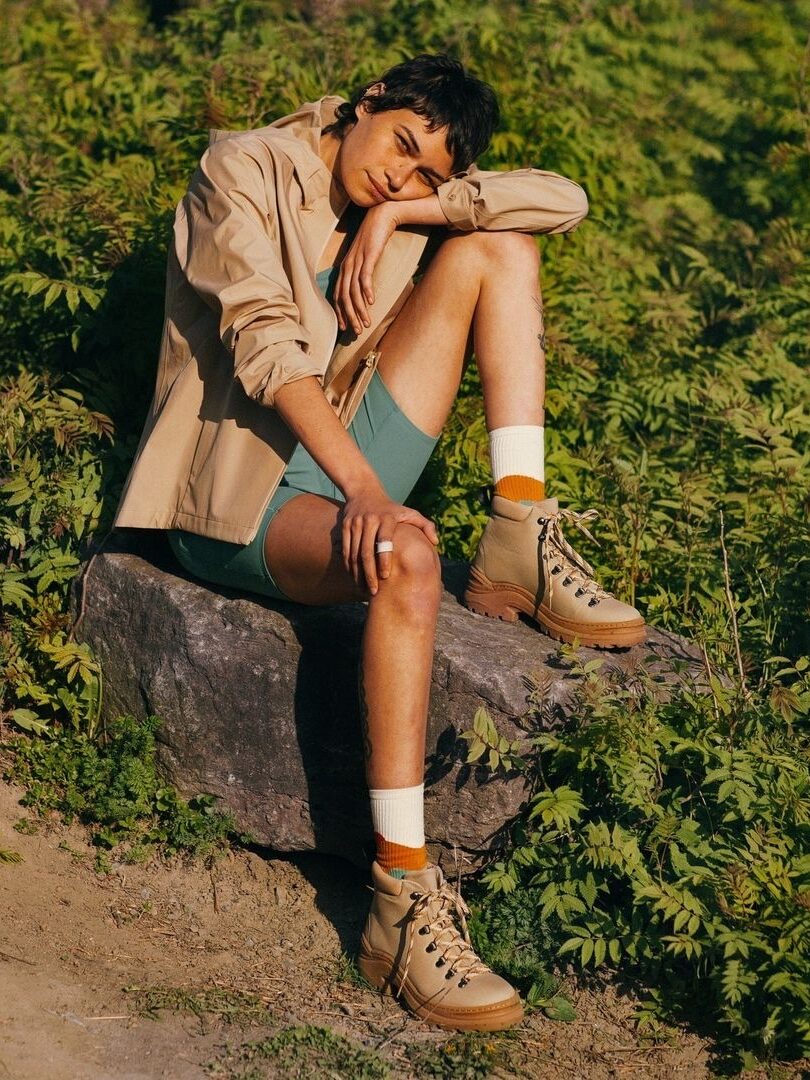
(438, 89)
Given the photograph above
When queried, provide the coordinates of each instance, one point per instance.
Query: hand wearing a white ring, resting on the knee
(370, 517)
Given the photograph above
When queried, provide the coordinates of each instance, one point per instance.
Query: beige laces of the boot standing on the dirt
(436, 911)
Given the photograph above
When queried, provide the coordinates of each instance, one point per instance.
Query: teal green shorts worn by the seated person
(396, 449)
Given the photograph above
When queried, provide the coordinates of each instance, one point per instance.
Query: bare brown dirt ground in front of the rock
(74, 946)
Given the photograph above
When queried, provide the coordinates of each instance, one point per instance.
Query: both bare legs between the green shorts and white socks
(485, 280)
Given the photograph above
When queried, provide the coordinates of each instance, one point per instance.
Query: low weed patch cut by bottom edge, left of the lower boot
(312, 1054)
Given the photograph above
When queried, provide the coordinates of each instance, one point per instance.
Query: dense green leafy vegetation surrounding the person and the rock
(666, 839)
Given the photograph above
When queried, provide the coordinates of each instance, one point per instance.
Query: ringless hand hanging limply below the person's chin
(355, 290)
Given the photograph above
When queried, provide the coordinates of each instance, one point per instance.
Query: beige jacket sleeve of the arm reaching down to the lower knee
(226, 249)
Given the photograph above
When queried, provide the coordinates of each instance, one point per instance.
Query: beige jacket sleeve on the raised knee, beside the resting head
(525, 200)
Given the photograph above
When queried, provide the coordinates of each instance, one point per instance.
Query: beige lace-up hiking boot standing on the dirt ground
(412, 948)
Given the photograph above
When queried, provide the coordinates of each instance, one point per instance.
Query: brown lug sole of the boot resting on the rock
(502, 600)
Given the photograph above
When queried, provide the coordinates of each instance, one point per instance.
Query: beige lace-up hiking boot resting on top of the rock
(525, 564)
